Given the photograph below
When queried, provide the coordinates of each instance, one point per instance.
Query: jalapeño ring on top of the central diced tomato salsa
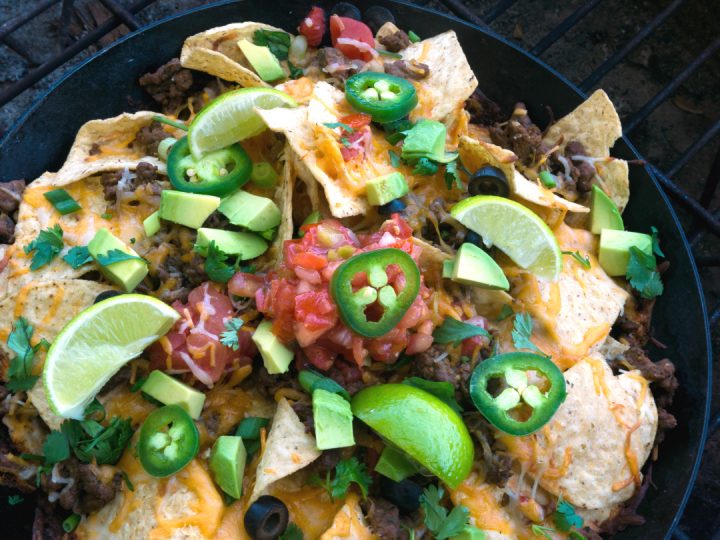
(374, 309)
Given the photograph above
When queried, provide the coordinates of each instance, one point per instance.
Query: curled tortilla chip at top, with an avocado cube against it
(216, 52)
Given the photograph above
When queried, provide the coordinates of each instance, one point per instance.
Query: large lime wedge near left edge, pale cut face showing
(96, 344)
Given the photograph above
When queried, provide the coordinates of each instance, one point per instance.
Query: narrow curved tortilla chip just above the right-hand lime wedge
(475, 154)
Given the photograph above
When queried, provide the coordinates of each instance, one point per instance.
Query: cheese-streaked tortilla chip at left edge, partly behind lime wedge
(47, 307)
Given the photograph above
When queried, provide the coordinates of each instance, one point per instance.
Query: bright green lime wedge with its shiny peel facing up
(421, 425)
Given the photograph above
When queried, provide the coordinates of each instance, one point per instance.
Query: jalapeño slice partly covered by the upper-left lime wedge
(216, 173)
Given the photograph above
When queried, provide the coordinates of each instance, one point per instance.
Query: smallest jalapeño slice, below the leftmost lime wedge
(169, 440)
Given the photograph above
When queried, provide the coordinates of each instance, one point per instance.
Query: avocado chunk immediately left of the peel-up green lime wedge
(333, 420)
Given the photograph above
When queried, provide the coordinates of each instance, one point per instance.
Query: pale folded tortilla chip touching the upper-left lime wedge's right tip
(297, 125)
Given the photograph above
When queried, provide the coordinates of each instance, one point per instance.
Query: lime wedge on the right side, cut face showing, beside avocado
(516, 230)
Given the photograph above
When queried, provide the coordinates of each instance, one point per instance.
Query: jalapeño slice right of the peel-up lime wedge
(513, 402)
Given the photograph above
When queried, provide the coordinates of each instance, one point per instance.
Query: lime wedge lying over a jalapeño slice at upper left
(232, 118)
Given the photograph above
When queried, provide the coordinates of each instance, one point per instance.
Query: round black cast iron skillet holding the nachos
(106, 85)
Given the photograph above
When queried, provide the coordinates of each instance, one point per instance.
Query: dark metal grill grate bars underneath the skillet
(702, 221)
